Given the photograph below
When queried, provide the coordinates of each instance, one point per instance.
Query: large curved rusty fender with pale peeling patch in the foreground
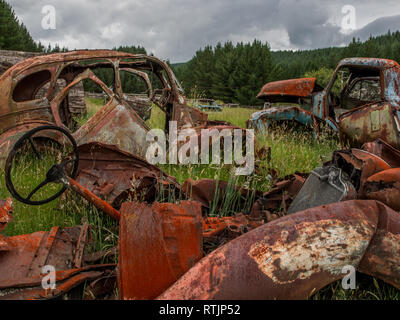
(295, 256)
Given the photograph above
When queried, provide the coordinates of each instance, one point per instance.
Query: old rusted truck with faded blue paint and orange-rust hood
(367, 106)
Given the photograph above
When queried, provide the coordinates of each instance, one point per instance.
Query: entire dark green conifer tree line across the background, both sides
(228, 72)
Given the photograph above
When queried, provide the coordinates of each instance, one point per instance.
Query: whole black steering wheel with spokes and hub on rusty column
(56, 174)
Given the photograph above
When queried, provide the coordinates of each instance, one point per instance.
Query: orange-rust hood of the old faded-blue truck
(302, 87)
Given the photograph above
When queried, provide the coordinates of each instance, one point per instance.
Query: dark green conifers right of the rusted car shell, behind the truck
(236, 73)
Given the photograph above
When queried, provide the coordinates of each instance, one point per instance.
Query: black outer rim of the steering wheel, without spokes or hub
(17, 146)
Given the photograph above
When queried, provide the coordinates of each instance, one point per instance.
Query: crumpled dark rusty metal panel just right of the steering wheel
(115, 175)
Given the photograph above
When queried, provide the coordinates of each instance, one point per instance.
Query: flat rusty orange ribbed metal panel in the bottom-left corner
(21, 265)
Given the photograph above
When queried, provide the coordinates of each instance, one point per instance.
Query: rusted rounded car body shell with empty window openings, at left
(117, 123)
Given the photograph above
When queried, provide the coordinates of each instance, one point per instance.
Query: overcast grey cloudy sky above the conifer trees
(175, 29)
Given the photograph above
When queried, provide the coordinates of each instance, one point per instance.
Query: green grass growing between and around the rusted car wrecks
(291, 151)
